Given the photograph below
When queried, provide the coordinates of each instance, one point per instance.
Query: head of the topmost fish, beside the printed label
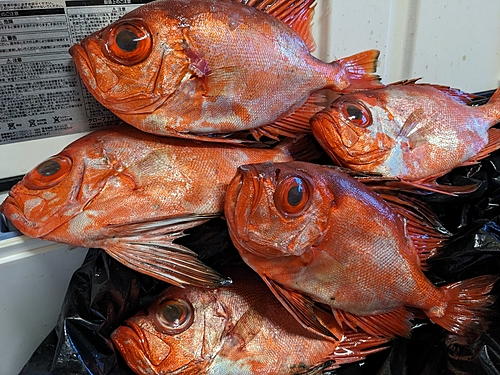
(134, 64)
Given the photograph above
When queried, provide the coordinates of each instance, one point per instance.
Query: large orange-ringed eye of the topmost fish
(128, 43)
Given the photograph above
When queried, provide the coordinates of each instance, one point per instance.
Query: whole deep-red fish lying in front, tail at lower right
(315, 234)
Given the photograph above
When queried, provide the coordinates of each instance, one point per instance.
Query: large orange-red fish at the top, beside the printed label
(177, 67)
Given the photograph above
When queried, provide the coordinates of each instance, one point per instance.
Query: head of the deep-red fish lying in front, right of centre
(276, 209)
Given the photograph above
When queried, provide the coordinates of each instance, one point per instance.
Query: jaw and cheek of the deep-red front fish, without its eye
(250, 209)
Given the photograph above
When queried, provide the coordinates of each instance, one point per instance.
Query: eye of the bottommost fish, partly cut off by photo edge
(174, 316)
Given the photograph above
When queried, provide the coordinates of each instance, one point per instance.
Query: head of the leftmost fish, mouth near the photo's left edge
(58, 190)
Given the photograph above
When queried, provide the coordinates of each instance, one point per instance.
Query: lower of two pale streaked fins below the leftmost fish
(168, 262)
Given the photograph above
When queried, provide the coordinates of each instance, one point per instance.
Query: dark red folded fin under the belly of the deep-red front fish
(305, 311)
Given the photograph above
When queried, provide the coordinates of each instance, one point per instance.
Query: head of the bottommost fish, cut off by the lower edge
(180, 333)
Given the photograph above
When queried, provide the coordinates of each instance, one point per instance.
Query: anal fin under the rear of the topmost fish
(294, 123)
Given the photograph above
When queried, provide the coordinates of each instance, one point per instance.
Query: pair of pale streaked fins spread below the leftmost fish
(148, 247)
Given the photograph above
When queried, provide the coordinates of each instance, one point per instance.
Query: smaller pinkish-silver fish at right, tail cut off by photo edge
(415, 132)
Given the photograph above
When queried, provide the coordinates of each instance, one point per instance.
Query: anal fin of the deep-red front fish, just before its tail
(388, 325)
